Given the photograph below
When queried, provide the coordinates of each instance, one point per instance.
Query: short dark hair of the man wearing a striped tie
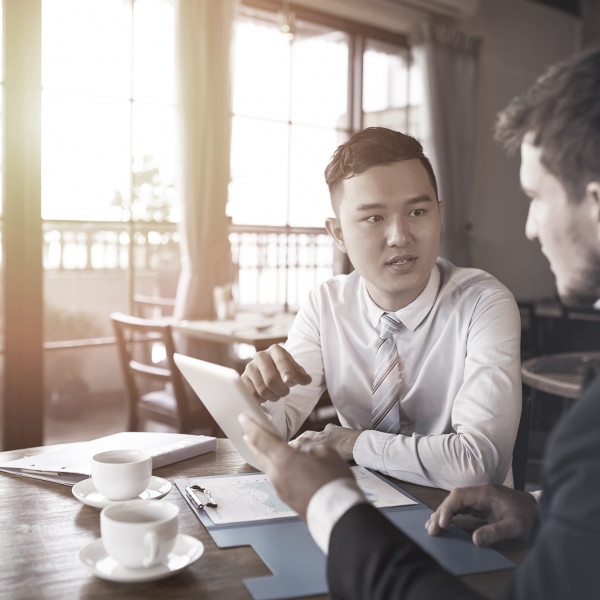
(371, 147)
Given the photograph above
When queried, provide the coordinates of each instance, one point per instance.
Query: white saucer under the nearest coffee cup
(93, 557)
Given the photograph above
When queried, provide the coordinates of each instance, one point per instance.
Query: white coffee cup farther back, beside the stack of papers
(121, 474)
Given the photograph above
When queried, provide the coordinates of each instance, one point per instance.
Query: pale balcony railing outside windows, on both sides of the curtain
(274, 265)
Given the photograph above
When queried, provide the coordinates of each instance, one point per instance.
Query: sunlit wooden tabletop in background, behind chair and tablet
(254, 328)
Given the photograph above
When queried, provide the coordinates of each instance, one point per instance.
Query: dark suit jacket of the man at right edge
(371, 559)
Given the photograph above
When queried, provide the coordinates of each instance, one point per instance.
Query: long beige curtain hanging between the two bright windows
(203, 56)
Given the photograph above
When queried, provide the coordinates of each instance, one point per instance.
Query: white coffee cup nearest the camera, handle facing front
(139, 533)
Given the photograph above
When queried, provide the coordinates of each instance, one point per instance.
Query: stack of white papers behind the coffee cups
(72, 464)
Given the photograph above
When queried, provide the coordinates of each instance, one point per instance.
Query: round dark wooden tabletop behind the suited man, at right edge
(559, 374)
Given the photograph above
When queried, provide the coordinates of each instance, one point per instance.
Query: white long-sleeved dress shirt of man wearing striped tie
(460, 397)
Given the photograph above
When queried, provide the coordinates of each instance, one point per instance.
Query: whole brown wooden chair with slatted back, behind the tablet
(156, 391)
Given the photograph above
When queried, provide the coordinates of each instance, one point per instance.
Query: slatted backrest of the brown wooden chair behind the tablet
(134, 335)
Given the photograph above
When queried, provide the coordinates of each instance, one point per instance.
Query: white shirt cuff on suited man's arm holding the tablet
(327, 506)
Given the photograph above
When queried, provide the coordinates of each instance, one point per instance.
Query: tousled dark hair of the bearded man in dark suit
(562, 112)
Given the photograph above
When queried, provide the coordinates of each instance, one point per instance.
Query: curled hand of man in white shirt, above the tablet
(271, 374)
